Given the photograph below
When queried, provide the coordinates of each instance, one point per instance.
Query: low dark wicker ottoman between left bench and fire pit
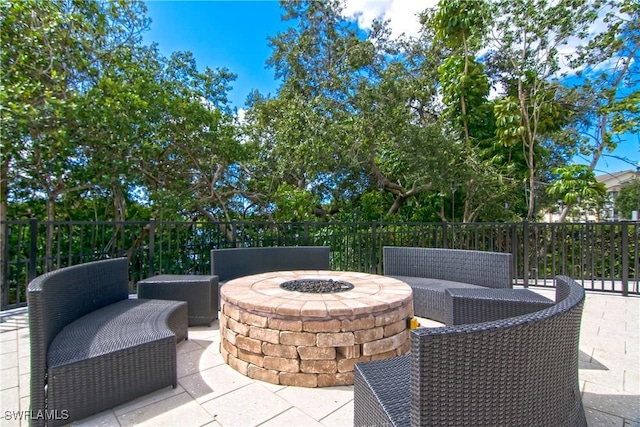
(200, 293)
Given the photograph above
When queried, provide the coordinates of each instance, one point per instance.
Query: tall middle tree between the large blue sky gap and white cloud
(301, 133)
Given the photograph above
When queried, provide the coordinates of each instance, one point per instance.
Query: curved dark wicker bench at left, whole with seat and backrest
(92, 348)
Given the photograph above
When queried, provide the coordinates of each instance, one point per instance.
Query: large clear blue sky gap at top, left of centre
(231, 34)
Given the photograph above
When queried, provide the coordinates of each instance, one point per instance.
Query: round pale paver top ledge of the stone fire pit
(261, 293)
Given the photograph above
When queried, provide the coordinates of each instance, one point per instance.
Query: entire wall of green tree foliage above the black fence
(96, 125)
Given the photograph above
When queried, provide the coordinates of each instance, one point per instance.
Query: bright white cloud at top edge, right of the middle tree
(402, 14)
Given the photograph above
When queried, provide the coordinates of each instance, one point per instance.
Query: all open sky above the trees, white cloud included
(233, 34)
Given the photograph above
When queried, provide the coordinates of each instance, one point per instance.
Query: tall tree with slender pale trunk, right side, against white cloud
(524, 59)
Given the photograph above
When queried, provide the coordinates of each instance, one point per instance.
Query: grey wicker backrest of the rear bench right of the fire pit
(489, 269)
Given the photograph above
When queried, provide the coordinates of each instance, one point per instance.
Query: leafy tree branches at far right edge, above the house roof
(609, 103)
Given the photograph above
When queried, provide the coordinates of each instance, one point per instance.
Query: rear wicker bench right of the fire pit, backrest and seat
(430, 271)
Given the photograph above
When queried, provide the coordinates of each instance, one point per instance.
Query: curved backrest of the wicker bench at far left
(57, 298)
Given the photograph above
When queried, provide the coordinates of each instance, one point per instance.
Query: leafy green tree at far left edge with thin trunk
(53, 53)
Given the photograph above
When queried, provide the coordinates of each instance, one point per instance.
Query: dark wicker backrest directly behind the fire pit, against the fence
(229, 264)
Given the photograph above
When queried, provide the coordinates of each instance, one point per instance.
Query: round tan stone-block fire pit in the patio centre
(303, 338)
